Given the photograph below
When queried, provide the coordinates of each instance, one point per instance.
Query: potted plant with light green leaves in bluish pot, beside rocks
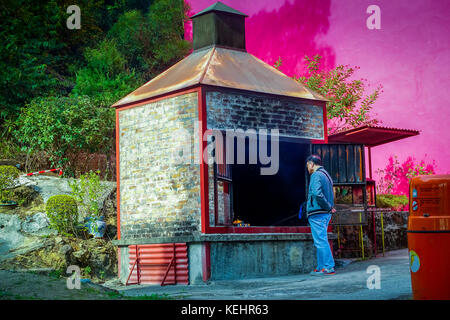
(87, 191)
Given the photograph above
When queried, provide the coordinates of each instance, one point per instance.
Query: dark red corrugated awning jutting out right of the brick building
(371, 136)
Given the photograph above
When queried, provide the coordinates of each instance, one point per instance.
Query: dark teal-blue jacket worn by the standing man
(320, 193)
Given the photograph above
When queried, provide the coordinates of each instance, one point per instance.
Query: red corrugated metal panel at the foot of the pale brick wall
(165, 263)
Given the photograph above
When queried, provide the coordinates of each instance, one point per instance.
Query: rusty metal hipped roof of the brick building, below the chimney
(222, 67)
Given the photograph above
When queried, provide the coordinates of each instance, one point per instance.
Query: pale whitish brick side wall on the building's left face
(159, 197)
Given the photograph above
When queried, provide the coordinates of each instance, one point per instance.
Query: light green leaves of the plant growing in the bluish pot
(87, 191)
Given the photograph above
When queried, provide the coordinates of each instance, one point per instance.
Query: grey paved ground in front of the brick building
(349, 283)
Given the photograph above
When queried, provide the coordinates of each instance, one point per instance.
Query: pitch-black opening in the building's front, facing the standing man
(271, 200)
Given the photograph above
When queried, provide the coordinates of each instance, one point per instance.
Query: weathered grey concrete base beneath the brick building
(240, 256)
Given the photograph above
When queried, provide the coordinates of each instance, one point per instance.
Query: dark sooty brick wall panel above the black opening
(232, 110)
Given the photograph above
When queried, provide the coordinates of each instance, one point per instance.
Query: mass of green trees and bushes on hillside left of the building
(57, 84)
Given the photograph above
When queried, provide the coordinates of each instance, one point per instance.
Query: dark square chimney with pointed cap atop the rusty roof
(219, 25)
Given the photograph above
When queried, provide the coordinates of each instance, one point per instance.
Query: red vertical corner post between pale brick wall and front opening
(204, 197)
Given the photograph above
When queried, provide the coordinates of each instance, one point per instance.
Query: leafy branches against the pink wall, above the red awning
(349, 106)
